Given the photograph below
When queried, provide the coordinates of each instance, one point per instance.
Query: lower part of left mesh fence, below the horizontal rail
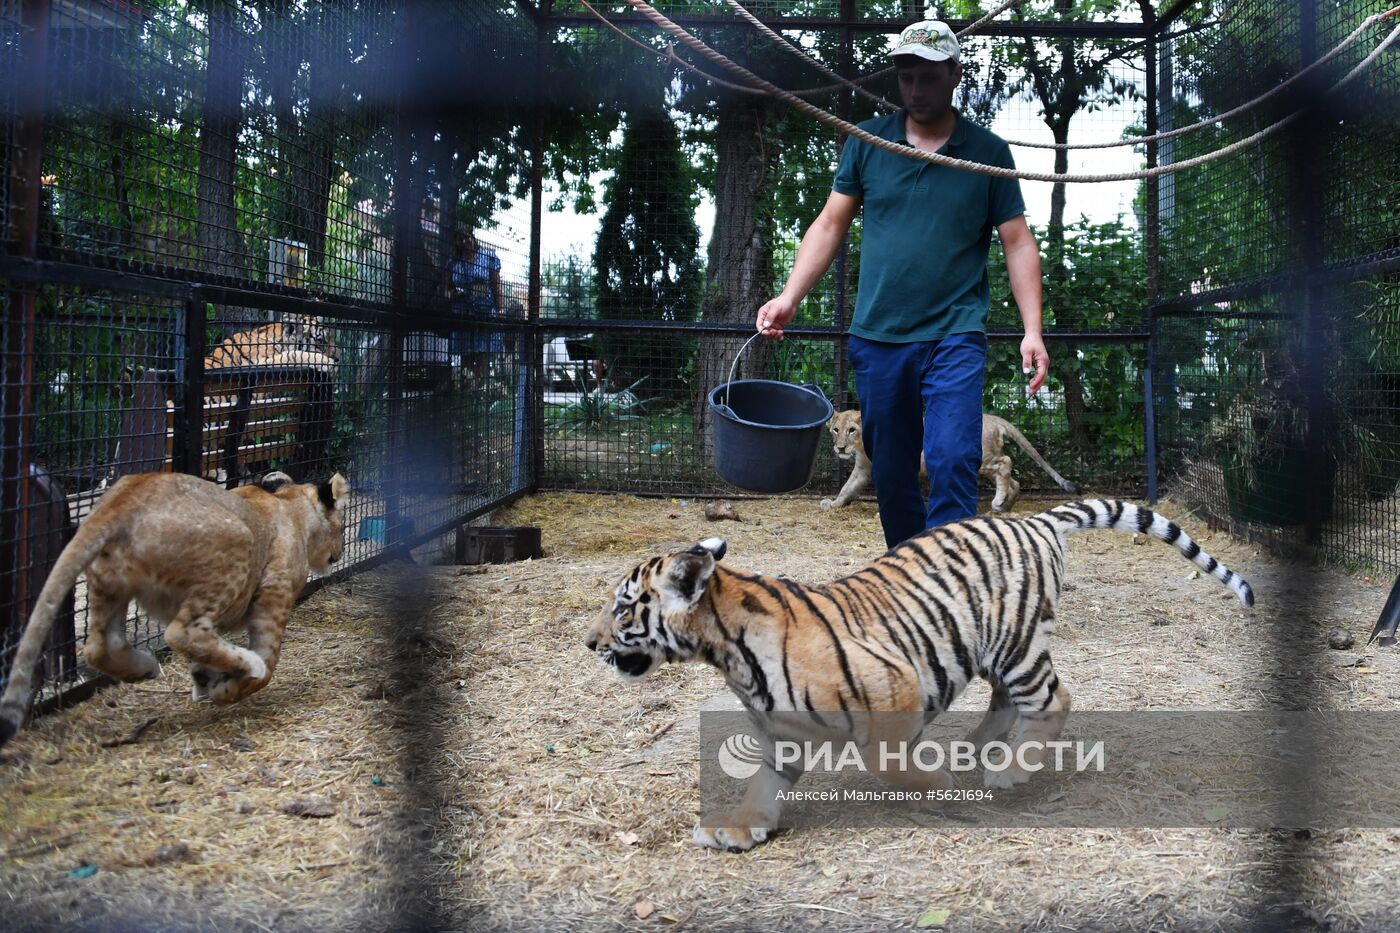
(117, 393)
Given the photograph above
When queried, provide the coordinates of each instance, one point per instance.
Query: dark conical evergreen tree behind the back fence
(647, 265)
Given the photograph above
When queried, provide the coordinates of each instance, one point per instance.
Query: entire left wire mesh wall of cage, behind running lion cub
(232, 249)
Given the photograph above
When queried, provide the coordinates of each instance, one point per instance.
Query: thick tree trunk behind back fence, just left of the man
(740, 260)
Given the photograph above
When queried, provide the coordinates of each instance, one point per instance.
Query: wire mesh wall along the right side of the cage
(1275, 390)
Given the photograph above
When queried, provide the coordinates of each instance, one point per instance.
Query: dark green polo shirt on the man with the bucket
(926, 232)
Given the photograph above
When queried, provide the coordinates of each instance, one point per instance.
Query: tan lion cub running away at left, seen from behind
(202, 560)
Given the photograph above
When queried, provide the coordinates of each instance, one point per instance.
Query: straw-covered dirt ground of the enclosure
(437, 749)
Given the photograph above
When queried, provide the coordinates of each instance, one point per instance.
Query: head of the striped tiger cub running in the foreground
(647, 620)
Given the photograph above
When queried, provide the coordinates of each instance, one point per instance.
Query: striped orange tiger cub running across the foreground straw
(902, 635)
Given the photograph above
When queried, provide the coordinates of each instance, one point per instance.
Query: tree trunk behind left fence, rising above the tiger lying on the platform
(220, 247)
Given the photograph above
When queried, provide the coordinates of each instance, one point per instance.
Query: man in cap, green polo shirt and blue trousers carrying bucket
(919, 336)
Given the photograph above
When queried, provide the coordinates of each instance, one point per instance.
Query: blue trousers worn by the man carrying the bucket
(922, 397)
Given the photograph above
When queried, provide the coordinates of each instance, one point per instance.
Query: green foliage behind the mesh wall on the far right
(1245, 219)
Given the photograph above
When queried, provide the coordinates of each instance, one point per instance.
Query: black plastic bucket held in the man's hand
(766, 434)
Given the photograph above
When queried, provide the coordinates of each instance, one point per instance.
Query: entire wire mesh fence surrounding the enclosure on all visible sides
(465, 250)
